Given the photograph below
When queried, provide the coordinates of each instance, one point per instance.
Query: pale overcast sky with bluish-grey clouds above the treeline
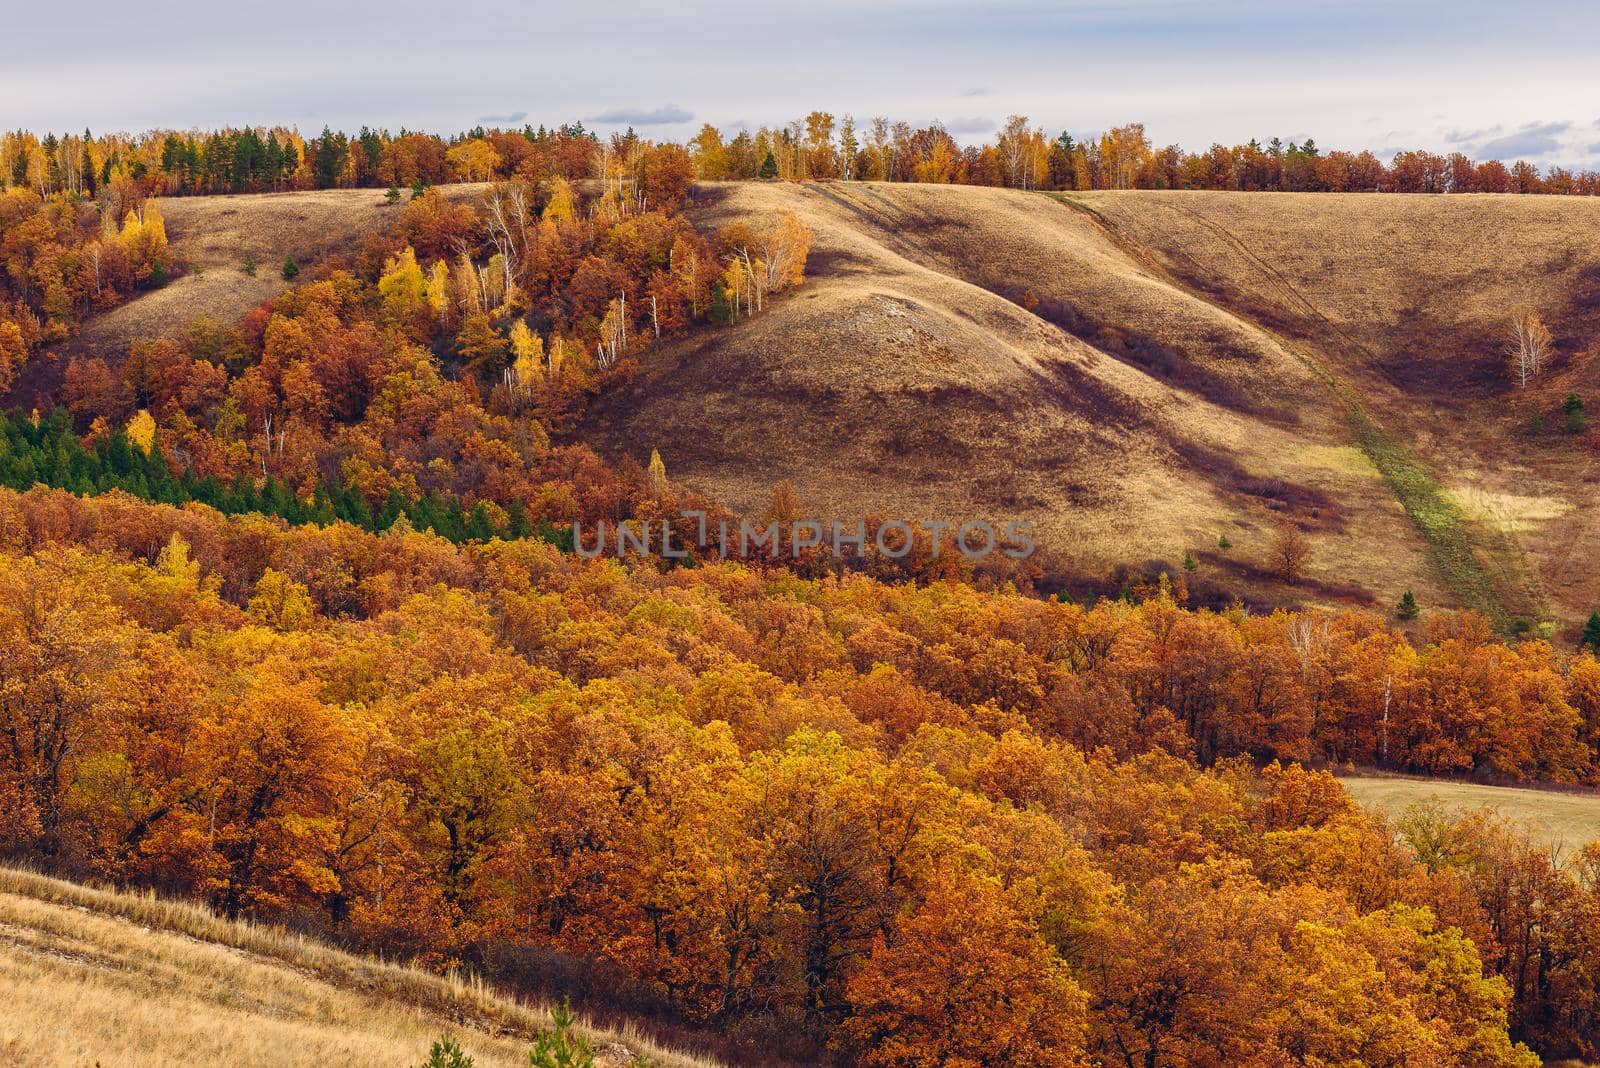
(1497, 79)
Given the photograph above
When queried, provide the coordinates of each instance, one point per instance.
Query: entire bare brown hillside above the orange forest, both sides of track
(1145, 373)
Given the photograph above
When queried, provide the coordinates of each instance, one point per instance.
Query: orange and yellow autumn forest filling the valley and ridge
(294, 624)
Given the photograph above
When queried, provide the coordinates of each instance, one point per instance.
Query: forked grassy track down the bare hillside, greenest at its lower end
(1462, 551)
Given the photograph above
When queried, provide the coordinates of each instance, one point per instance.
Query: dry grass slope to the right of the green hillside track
(1407, 300)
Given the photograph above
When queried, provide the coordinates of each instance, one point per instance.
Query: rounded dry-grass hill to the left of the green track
(924, 372)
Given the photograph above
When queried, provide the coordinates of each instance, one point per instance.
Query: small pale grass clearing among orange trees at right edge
(1564, 821)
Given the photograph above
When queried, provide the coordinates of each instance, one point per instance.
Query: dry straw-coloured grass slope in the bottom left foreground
(94, 978)
